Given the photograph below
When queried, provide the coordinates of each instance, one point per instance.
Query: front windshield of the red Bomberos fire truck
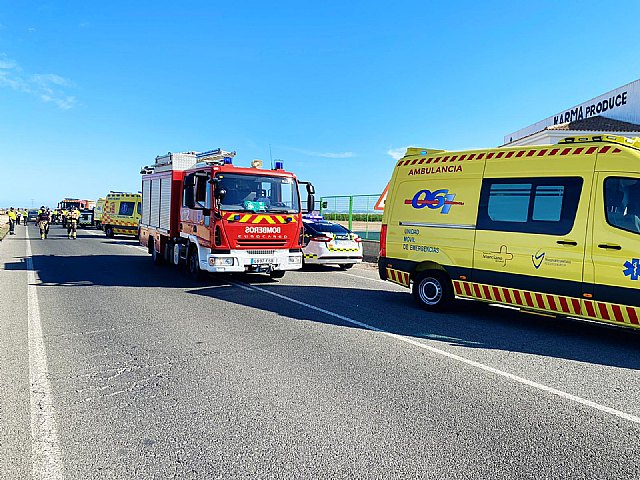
(258, 193)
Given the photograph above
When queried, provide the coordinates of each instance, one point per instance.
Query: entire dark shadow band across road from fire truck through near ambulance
(468, 324)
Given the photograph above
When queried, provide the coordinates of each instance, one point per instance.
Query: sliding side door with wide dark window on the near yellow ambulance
(531, 236)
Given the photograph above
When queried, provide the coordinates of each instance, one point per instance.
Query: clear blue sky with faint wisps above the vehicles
(91, 91)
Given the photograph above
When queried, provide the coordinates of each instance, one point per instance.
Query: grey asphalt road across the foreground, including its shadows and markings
(139, 372)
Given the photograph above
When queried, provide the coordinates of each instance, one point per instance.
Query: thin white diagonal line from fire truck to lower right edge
(458, 358)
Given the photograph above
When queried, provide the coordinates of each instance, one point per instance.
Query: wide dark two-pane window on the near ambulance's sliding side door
(529, 205)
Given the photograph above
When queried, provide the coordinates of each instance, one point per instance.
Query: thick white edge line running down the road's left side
(46, 457)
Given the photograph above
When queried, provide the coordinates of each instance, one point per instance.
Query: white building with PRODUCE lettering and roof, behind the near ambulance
(616, 112)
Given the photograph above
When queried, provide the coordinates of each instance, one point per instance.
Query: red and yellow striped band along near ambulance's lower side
(594, 310)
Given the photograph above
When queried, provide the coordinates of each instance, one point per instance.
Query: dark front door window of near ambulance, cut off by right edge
(622, 203)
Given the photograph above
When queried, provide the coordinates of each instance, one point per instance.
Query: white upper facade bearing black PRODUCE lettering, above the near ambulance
(620, 104)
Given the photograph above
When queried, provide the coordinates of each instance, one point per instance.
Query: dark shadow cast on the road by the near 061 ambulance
(468, 323)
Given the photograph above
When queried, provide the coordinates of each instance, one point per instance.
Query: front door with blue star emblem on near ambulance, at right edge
(614, 255)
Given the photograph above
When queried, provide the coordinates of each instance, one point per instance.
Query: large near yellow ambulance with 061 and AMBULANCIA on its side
(551, 228)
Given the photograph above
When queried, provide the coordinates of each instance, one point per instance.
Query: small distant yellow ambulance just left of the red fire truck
(121, 214)
